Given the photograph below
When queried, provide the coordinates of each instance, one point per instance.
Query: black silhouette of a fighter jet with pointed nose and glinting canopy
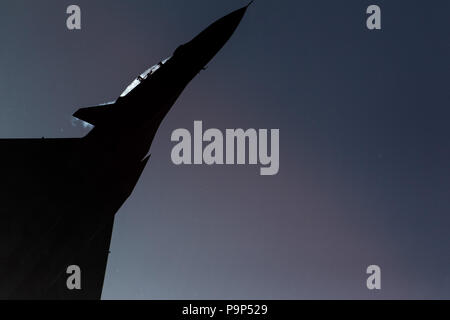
(60, 196)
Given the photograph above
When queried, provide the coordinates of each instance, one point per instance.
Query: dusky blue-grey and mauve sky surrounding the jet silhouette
(364, 142)
